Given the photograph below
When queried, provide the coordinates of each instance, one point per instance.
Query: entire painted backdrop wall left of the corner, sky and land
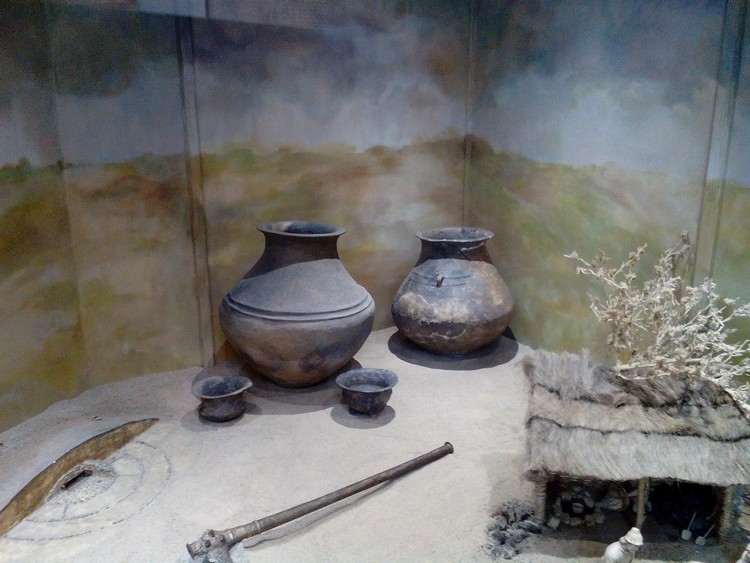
(140, 151)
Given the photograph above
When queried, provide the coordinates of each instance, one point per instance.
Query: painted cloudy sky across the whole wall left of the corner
(388, 79)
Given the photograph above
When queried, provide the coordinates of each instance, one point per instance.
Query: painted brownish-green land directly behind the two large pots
(381, 196)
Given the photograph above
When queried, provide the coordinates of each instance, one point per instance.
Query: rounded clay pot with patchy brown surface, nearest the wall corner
(454, 300)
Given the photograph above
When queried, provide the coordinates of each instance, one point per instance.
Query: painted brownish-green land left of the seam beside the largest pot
(97, 278)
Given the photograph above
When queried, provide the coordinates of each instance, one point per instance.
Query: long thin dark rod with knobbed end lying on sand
(215, 545)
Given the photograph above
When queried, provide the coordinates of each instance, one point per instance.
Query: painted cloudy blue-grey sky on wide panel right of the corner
(584, 82)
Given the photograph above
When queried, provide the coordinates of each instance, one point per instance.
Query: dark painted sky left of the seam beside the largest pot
(92, 85)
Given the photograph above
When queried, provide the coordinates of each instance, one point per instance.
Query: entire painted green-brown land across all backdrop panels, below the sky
(97, 267)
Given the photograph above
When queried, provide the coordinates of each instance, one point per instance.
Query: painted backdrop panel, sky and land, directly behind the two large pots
(357, 121)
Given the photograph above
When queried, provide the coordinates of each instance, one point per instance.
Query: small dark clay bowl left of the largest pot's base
(221, 397)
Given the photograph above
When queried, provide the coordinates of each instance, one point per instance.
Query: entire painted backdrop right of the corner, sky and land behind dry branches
(591, 128)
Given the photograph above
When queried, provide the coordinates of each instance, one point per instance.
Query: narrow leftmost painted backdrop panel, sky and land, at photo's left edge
(41, 349)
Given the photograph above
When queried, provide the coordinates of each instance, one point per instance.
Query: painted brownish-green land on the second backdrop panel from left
(132, 244)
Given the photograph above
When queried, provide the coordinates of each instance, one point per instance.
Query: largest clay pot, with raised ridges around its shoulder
(297, 316)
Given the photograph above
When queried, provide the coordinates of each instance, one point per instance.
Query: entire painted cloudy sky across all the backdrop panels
(578, 82)
